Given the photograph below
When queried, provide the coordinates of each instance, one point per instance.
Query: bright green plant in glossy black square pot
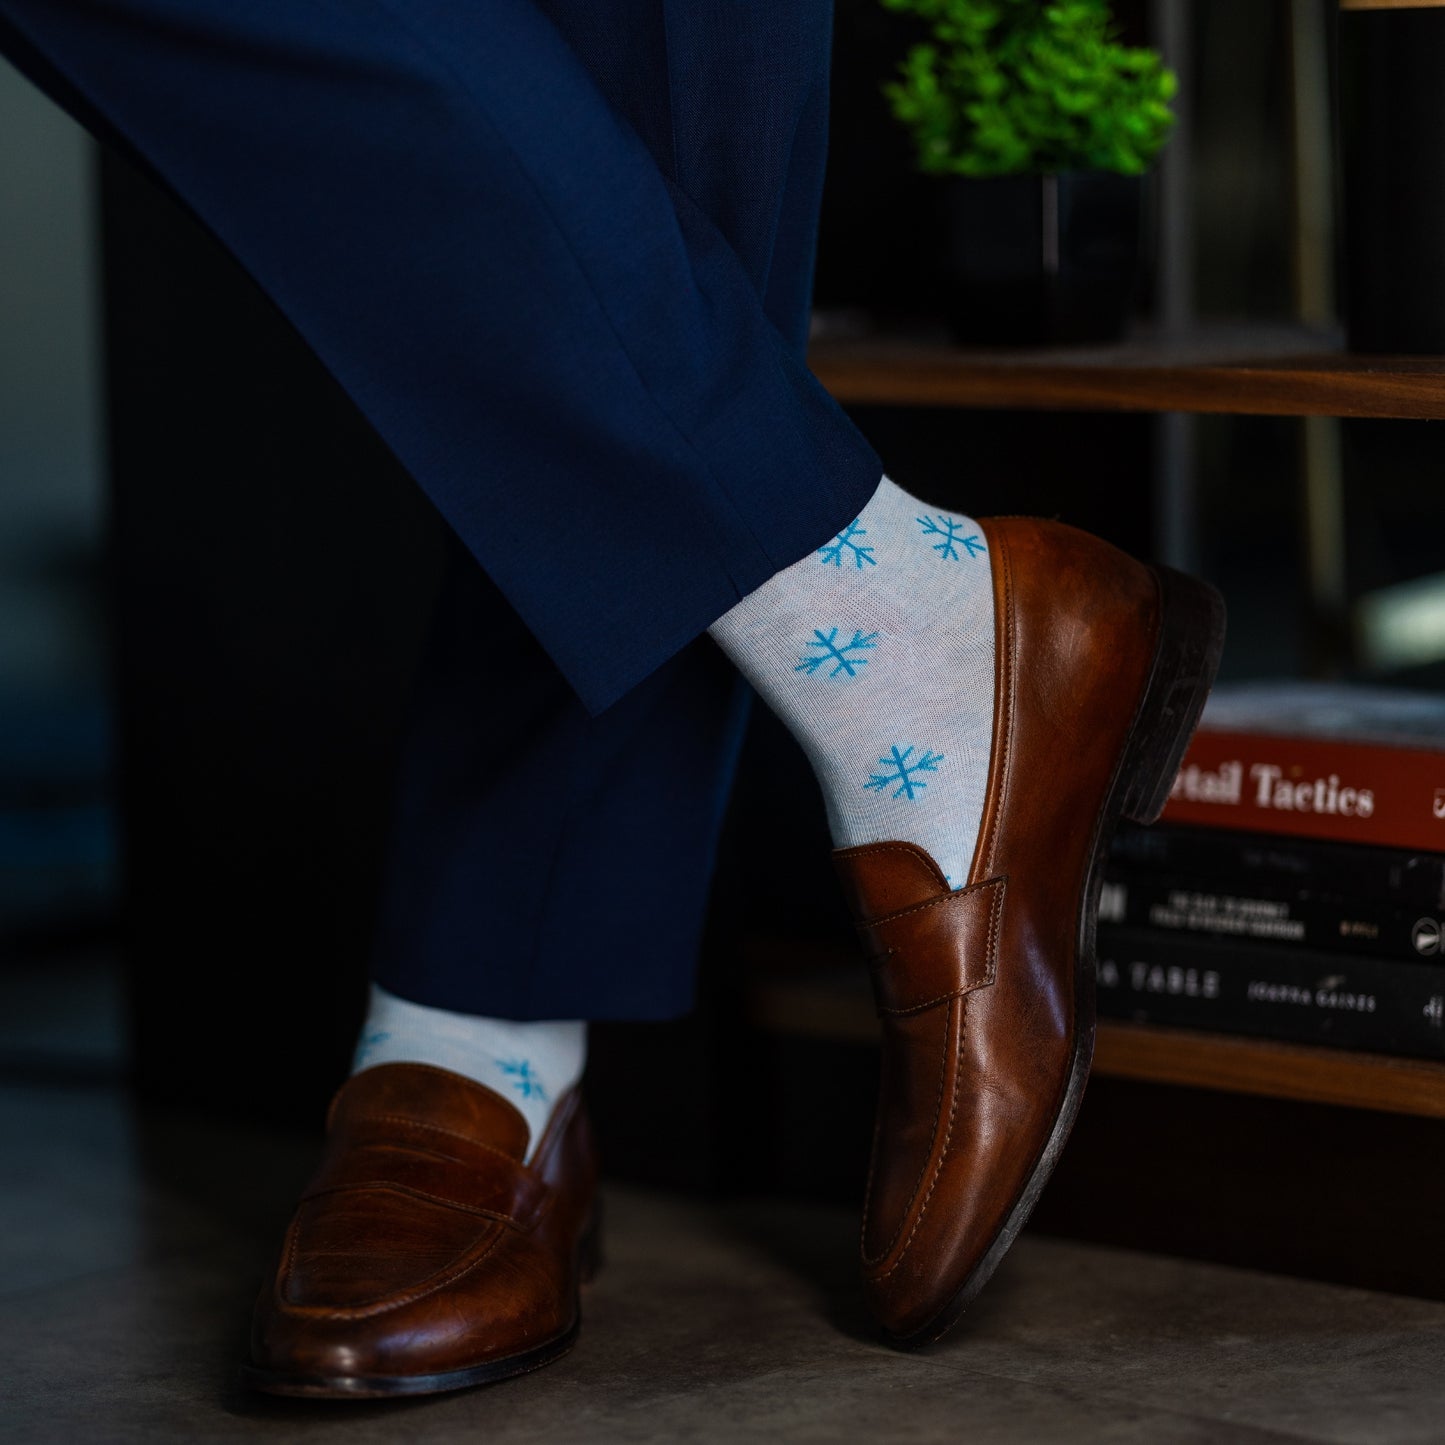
(1040, 126)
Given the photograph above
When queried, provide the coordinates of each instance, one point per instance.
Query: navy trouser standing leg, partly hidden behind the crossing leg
(615, 817)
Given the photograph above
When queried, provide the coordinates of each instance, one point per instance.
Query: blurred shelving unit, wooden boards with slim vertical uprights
(1184, 371)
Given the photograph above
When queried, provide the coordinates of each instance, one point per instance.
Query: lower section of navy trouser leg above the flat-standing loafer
(531, 839)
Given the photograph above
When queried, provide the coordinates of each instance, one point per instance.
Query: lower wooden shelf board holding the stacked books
(821, 999)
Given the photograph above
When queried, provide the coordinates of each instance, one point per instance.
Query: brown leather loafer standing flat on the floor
(426, 1256)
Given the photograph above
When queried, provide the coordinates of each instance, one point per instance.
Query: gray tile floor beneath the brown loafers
(129, 1252)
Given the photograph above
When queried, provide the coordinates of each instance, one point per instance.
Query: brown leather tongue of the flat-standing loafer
(436, 1097)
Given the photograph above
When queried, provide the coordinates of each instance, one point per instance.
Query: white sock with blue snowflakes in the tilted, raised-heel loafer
(878, 654)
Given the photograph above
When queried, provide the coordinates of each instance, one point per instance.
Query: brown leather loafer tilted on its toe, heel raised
(988, 993)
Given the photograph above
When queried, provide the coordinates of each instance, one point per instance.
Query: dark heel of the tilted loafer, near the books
(1187, 657)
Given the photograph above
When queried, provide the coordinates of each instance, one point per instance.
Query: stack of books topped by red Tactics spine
(1295, 887)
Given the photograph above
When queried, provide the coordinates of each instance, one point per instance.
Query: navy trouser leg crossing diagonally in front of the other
(444, 204)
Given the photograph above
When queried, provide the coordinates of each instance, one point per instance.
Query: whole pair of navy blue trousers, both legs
(560, 254)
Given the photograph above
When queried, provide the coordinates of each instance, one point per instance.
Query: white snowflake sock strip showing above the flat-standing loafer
(530, 1064)
